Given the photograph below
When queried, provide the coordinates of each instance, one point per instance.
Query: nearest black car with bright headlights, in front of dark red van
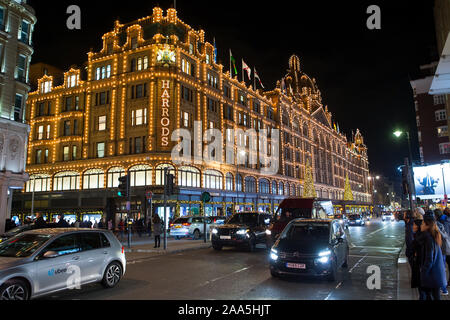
(310, 247)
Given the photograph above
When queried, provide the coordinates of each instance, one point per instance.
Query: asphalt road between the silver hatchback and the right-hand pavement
(239, 275)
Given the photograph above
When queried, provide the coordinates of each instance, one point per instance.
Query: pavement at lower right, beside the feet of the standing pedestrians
(404, 290)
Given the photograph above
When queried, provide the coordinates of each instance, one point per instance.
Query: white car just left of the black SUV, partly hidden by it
(190, 227)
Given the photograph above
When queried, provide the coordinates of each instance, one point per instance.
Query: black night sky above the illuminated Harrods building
(363, 74)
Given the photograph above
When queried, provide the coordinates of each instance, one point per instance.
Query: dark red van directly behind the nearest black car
(295, 208)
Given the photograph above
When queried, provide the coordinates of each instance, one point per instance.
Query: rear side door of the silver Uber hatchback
(92, 257)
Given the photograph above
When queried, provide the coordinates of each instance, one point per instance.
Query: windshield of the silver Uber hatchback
(23, 245)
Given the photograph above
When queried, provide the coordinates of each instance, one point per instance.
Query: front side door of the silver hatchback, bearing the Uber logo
(53, 273)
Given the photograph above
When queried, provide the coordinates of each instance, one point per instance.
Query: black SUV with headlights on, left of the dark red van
(241, 230)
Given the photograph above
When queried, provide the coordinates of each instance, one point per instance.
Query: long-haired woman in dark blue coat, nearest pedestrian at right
(432, 269)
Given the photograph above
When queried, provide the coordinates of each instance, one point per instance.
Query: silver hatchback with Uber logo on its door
(41, 262)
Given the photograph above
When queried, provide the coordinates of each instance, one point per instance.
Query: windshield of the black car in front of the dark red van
(307, 232)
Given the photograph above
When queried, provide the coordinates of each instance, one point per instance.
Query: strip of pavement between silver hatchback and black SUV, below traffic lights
(142, 249)
